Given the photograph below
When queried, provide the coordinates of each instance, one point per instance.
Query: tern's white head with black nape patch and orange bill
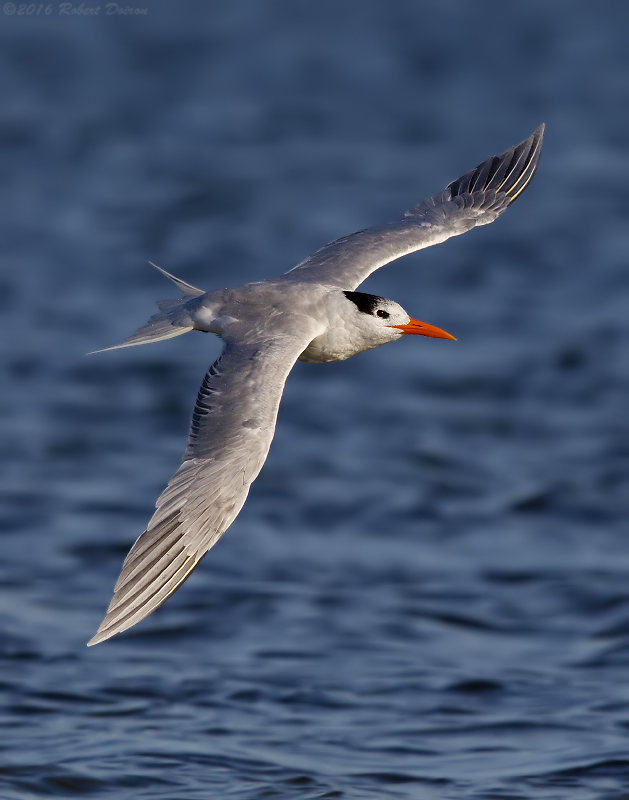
(384, 320)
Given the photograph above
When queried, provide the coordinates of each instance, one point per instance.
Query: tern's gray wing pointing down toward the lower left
(232, 428)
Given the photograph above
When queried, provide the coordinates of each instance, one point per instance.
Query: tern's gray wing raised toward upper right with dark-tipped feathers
(474, 199)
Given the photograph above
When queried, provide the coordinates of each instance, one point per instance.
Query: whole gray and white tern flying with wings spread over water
(312, 313)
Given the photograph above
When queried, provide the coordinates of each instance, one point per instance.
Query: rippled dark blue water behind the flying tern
(427, 593)
